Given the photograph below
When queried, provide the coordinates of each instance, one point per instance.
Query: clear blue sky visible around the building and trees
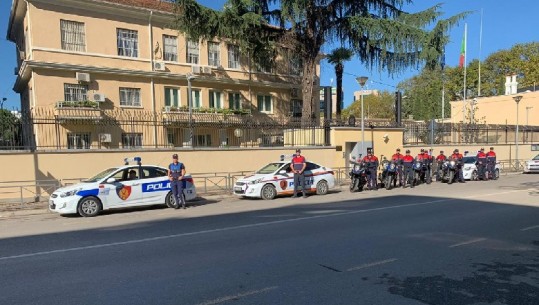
(505, 23)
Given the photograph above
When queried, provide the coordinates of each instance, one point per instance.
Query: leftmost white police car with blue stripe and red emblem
(119, 187)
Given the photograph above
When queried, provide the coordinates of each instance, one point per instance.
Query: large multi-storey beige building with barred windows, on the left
(86, 68)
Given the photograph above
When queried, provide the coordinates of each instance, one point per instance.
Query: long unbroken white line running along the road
(261, 224)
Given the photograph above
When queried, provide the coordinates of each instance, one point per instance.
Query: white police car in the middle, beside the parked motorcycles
(276, 178)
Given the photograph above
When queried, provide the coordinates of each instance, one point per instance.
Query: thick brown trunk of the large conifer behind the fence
(311, 93)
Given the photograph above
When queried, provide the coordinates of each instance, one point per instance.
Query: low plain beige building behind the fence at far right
(499, 110)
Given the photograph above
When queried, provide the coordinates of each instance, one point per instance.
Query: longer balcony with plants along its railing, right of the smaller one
(173, 115)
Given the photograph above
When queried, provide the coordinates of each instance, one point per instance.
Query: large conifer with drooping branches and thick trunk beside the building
(379, 32)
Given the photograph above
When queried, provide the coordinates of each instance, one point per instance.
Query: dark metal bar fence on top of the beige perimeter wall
(94, 128)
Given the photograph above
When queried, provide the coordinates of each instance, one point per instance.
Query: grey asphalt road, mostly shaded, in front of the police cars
(473, 243)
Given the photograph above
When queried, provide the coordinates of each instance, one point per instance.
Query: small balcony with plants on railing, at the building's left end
(78, 110)
